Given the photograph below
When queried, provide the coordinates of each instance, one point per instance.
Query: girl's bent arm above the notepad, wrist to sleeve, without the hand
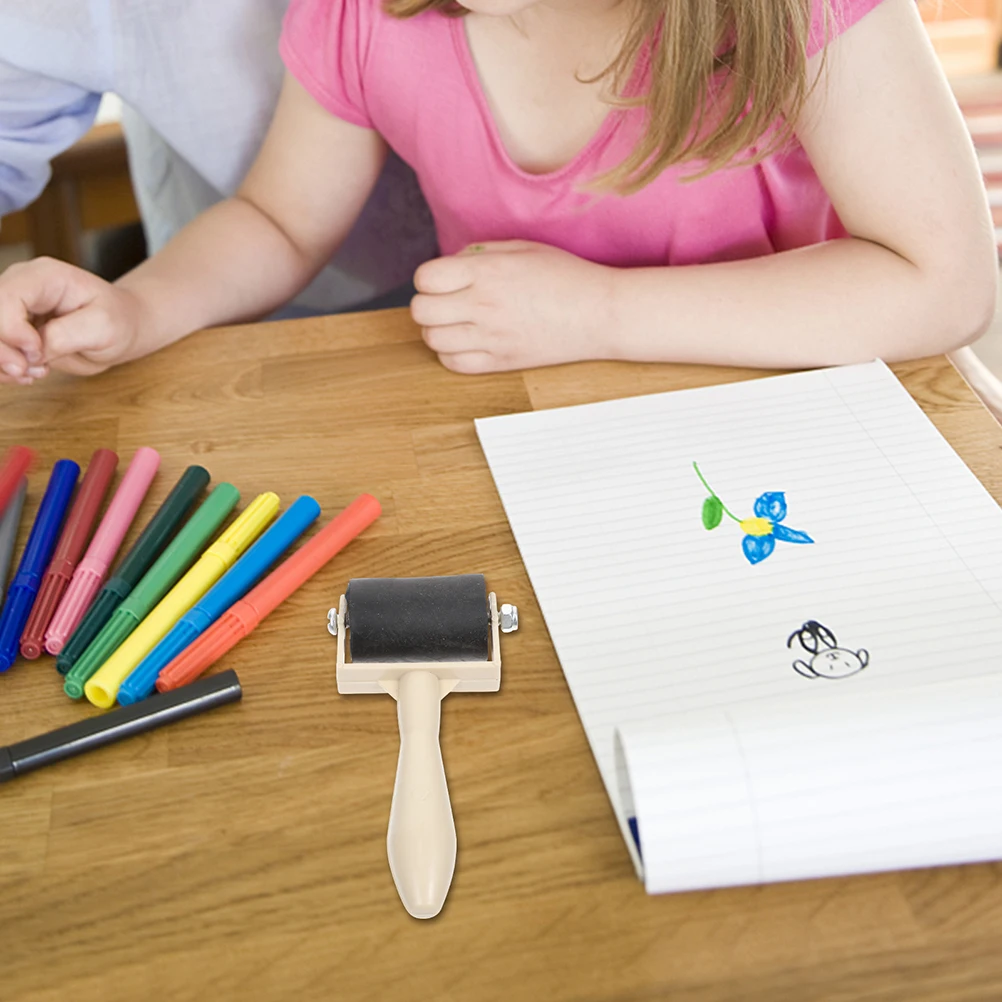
(918, 276)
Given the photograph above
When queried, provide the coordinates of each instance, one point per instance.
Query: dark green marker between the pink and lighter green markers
(138, 562)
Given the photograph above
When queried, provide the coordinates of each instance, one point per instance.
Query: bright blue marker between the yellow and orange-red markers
(233, 587)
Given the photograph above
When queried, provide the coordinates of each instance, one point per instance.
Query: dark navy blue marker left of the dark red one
(35, 561)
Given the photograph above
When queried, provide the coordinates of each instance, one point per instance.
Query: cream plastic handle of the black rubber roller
(421, 840)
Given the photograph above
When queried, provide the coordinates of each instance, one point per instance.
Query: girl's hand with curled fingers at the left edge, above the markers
(56, 316)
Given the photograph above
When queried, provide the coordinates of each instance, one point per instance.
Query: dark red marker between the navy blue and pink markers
(75, 538)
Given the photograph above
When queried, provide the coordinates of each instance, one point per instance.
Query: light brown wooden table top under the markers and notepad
(241, 855)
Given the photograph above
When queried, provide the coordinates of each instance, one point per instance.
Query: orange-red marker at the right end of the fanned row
(243, 617)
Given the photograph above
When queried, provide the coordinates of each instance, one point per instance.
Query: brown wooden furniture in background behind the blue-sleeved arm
(91, 190)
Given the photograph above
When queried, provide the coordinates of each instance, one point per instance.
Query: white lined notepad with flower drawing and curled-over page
(835, 707)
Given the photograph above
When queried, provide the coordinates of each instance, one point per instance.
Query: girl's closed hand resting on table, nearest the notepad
(514, 305)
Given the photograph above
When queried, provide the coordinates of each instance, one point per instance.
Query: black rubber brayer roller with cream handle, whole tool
(420, 640)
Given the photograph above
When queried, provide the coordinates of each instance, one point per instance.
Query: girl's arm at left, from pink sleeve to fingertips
(241, 260)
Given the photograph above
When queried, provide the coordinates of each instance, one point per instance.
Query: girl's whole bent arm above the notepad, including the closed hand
(918, 276)
